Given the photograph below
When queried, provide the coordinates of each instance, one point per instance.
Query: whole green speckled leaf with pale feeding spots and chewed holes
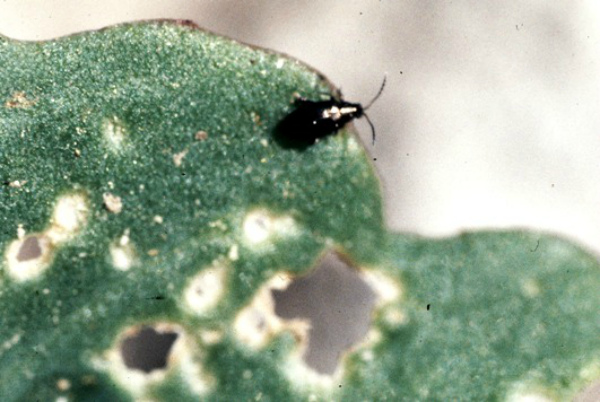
(138, 163)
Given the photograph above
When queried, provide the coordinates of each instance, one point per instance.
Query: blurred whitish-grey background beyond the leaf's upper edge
(490, 117)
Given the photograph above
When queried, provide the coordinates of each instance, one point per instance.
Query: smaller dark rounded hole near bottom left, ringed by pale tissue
(148, 350)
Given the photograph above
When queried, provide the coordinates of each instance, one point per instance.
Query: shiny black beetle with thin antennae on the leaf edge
(312, 120)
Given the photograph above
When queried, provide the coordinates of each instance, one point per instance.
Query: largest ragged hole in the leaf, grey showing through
(338, 304)
